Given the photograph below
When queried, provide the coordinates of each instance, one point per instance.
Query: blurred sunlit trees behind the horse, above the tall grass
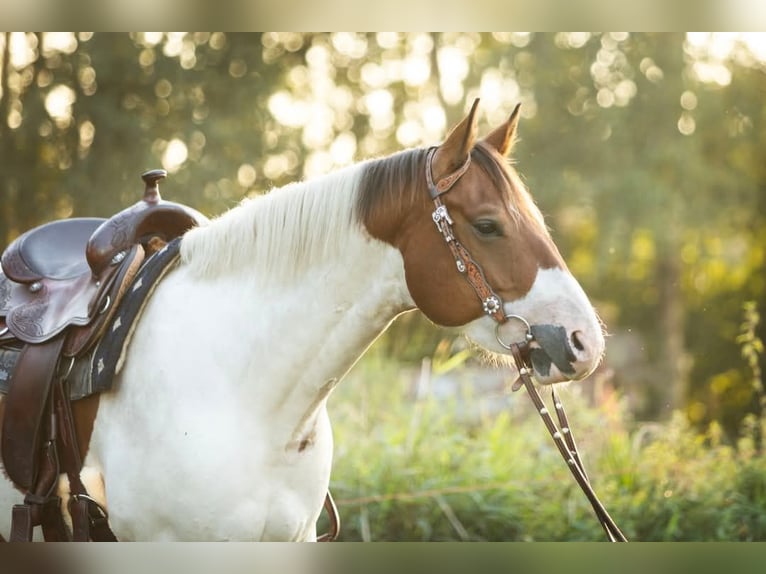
(644, 151)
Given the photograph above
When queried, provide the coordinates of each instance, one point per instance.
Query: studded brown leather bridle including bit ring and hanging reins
(492, 304)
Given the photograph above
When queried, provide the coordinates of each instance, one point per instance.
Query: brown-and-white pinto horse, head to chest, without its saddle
(217, 425)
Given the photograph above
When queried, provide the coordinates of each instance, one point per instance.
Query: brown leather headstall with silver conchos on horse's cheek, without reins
(491, 302)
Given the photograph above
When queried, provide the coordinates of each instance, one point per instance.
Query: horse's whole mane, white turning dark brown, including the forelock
(285, 230)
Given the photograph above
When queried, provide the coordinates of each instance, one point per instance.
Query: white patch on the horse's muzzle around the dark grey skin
(555, 299)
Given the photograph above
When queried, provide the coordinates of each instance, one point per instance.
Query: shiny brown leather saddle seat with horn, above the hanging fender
(62, 273)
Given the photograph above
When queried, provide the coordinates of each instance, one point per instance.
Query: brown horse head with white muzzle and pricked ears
(489, 231)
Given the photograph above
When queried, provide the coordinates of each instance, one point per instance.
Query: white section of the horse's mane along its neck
(279, 233)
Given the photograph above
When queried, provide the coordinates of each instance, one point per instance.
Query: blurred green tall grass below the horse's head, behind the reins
(419, 468)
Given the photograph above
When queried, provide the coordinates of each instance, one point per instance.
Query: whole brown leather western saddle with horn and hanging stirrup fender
(60, 285)
